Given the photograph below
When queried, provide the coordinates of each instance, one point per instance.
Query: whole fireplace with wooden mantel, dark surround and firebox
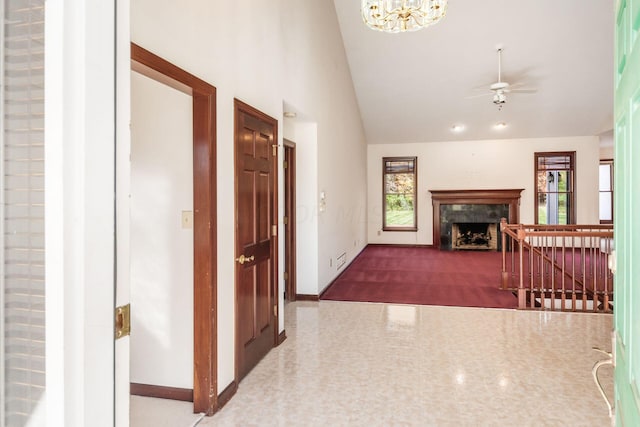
(484, 208)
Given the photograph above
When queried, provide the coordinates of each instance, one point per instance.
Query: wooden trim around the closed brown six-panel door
(243, 107)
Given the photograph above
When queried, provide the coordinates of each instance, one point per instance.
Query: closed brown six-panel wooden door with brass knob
(256, 235)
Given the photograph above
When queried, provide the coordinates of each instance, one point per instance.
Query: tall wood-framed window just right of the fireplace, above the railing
(555, 188)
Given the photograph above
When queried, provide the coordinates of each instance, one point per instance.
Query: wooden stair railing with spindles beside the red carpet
(558, 267)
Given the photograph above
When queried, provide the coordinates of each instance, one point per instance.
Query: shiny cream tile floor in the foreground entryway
(363, 364)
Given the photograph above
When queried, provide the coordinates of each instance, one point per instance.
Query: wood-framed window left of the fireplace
(399, 193)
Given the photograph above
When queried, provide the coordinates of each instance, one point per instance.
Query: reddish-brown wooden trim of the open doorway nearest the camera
(205, 384)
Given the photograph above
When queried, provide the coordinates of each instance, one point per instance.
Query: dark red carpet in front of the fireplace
(415, 275)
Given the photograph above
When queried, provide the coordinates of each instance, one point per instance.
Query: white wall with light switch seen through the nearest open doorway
(161, 249)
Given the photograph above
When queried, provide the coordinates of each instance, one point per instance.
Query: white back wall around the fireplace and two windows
(471, 165)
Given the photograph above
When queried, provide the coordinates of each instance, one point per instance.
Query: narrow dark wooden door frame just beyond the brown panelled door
(289, 167)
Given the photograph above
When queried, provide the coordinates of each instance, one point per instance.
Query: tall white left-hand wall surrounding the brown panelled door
(264, 53)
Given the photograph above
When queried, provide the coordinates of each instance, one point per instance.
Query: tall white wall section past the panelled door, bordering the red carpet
(318, 84)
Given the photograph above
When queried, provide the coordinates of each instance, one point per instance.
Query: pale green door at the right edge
(627, 213)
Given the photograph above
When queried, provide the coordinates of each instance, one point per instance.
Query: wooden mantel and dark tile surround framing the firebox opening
(471, 206)
